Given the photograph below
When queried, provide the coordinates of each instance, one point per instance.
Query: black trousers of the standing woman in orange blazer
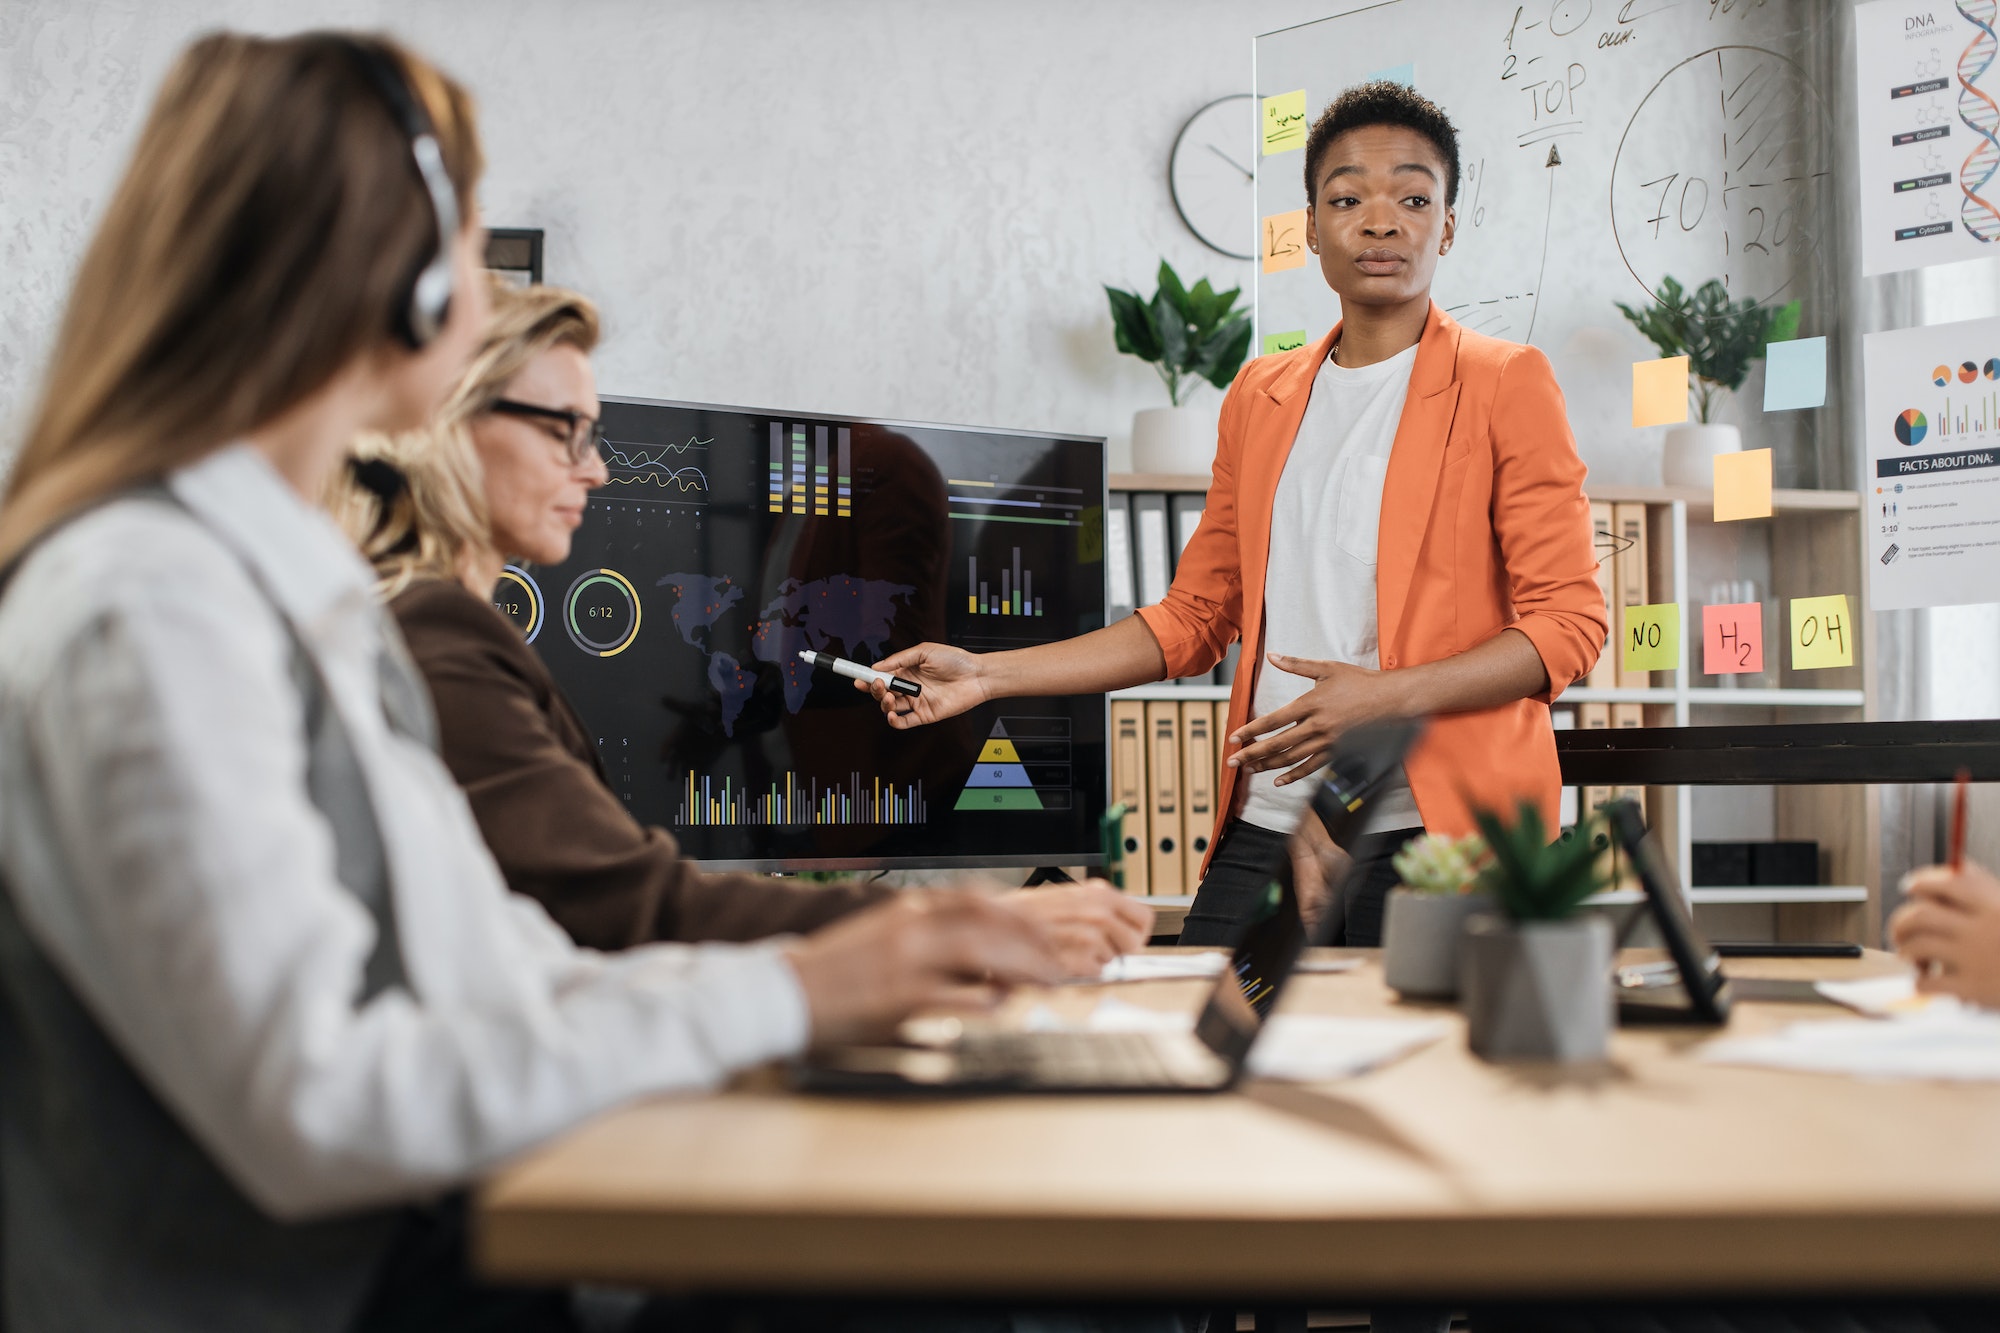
(1249, 858)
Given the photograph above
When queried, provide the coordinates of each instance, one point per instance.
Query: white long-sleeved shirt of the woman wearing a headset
(161, 848)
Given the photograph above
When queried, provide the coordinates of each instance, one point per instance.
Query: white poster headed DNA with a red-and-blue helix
(1931, 131)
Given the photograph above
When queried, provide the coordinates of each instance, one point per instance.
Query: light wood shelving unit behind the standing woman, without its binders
(1809, 547)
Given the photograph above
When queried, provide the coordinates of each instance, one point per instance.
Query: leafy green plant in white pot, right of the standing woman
(1721, 341)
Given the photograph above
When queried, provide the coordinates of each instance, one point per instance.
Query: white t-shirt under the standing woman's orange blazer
(1321, 585)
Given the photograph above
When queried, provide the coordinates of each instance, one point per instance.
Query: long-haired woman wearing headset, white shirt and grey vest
(263, 990)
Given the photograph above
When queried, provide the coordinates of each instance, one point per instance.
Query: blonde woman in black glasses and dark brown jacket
(505, 473)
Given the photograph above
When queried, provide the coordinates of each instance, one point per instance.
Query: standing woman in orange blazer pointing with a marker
(1487, 601)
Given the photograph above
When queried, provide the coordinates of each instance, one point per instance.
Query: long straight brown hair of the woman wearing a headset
(265, 235)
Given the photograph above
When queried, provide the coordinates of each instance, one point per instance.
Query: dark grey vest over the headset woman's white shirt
(111, 1216)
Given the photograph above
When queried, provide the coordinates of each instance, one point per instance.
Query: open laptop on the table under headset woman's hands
(1211, 1058)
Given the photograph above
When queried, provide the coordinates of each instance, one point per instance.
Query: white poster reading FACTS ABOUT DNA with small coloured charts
(1931, 497)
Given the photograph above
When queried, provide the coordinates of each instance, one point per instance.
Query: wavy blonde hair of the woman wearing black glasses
(437, 521)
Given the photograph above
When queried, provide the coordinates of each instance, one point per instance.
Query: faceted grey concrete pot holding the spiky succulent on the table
(1537, 990)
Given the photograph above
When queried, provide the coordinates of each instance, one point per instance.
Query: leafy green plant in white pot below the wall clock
(1187, 335)
